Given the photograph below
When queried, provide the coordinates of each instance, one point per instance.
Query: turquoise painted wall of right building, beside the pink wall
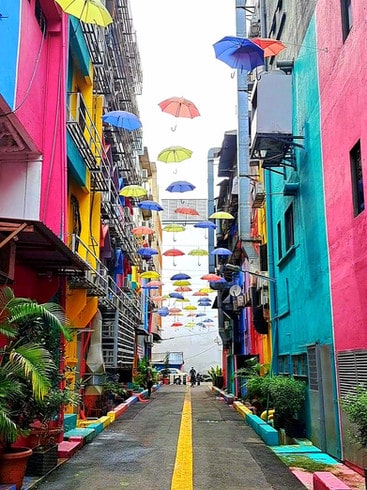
(301, 310)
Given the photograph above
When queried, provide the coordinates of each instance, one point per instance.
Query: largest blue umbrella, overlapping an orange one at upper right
(239, 53)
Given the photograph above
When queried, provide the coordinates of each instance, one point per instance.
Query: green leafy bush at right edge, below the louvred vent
(355, 406)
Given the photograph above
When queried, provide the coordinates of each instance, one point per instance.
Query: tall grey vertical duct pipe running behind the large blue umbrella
(244, 215)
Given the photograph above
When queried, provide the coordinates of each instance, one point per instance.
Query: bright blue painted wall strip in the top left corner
(9, 41)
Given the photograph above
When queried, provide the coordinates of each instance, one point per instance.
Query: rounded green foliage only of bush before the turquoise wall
(287, 395)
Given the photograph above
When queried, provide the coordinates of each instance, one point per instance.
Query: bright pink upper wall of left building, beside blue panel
(41, 95)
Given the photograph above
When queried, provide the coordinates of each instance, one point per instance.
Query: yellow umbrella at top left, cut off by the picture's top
(89, 11)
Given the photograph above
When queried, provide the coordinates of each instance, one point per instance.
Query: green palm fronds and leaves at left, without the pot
(28, 369)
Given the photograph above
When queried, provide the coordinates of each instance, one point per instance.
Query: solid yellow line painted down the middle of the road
(182, 478)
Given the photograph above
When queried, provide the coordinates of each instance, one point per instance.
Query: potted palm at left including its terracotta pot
(26, 367)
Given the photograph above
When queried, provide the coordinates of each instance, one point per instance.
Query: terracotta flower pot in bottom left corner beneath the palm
(13, 465)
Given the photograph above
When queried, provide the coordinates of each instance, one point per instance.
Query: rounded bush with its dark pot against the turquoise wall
(287, 395)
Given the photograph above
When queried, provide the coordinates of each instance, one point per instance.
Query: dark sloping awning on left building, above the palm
(37, 246)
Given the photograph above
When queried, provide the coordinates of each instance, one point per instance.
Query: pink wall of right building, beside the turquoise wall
(343, 94)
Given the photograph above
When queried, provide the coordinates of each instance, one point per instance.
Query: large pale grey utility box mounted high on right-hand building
(271, 109)
